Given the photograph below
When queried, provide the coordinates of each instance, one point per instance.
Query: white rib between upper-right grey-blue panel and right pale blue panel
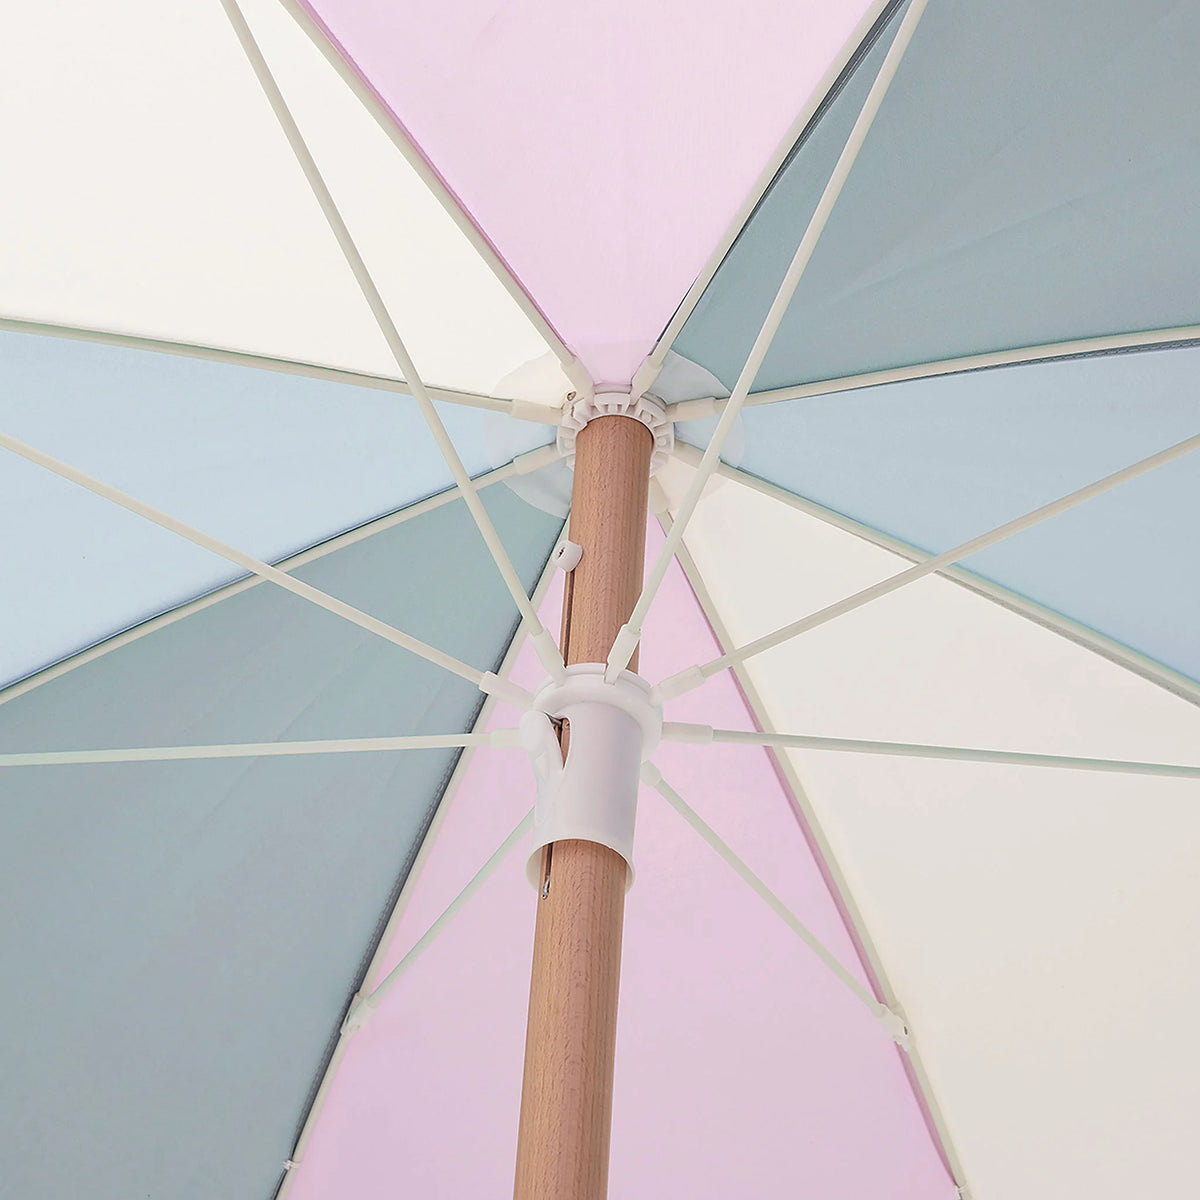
(1078, 349)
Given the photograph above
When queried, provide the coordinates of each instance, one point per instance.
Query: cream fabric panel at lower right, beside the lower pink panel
(1039, 926)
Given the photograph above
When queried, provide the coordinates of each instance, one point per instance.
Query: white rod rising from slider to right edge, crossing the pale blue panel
(695, 676)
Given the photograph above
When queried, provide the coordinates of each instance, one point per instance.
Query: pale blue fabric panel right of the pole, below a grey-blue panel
(935, 463)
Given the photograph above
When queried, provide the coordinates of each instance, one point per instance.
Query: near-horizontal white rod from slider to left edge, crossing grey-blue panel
(260, 749)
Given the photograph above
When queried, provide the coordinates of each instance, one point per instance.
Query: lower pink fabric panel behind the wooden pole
(743, 1067)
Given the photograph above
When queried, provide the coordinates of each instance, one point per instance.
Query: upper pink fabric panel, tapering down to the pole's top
(603, 148)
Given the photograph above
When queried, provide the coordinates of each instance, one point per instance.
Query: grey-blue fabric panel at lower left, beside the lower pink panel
(181, 940)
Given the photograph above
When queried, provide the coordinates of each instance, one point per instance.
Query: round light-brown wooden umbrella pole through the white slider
(571, 1039)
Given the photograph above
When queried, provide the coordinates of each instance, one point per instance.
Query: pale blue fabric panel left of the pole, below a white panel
(267, 463)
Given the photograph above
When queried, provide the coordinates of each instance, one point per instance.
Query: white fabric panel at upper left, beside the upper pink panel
(151, 191)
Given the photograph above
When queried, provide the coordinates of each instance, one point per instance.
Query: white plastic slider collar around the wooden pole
(592, 796)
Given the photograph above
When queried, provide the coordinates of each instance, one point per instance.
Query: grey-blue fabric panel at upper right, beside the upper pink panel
(1031, 178)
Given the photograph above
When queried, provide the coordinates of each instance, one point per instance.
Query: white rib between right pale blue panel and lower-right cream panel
(1099, 644)
